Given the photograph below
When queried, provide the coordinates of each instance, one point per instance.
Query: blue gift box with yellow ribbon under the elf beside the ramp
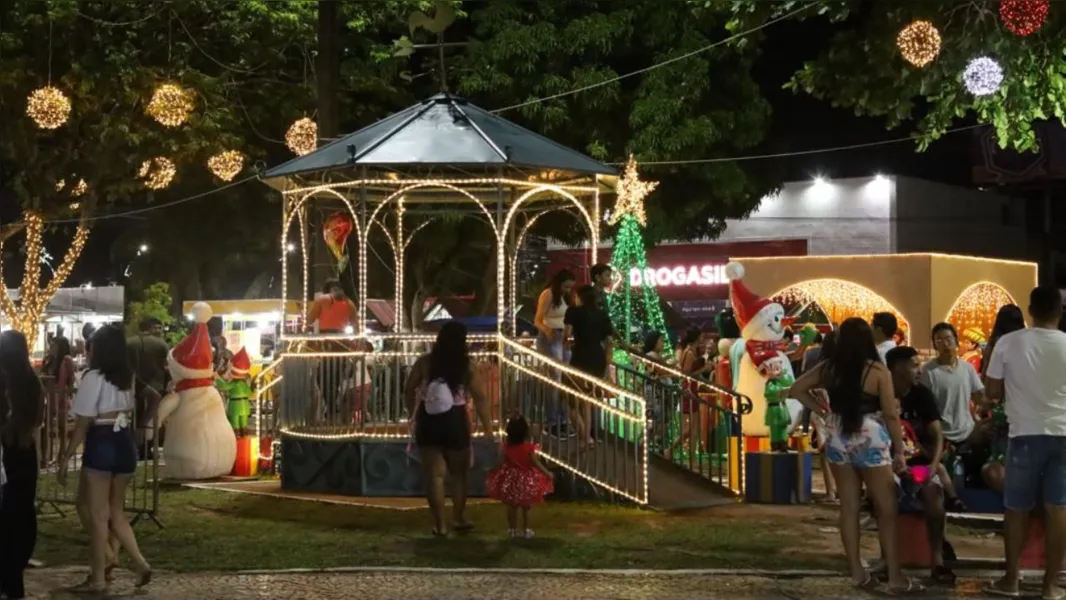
(778, 478)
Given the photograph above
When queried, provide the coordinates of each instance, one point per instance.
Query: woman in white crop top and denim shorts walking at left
(104, 409)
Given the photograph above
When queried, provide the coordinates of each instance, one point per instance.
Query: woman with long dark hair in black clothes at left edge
(22, 414)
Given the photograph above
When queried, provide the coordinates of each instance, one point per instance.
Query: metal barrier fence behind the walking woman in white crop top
(142, 496)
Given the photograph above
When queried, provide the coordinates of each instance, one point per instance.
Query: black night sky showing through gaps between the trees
(785, 48)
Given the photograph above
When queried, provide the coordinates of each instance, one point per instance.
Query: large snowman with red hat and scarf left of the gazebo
(200, 444)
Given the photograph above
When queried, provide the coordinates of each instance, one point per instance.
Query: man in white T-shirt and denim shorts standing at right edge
(1028, 368)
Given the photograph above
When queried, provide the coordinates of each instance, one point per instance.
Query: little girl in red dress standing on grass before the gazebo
(521, 480)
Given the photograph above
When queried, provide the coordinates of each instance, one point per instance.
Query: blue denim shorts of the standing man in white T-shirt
(1036, 463)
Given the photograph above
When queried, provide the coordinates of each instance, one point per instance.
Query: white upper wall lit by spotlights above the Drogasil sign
(839, 217)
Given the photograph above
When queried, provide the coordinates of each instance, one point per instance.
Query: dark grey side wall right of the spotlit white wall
(932, 217)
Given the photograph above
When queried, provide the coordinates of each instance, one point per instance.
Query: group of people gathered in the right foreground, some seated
(891, 426)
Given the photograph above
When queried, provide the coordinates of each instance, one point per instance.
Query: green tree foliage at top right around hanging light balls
(863, 70)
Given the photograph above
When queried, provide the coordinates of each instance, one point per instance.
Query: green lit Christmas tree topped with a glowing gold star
(635, 305)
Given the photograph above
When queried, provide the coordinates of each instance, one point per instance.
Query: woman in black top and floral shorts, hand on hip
(864, 442)
